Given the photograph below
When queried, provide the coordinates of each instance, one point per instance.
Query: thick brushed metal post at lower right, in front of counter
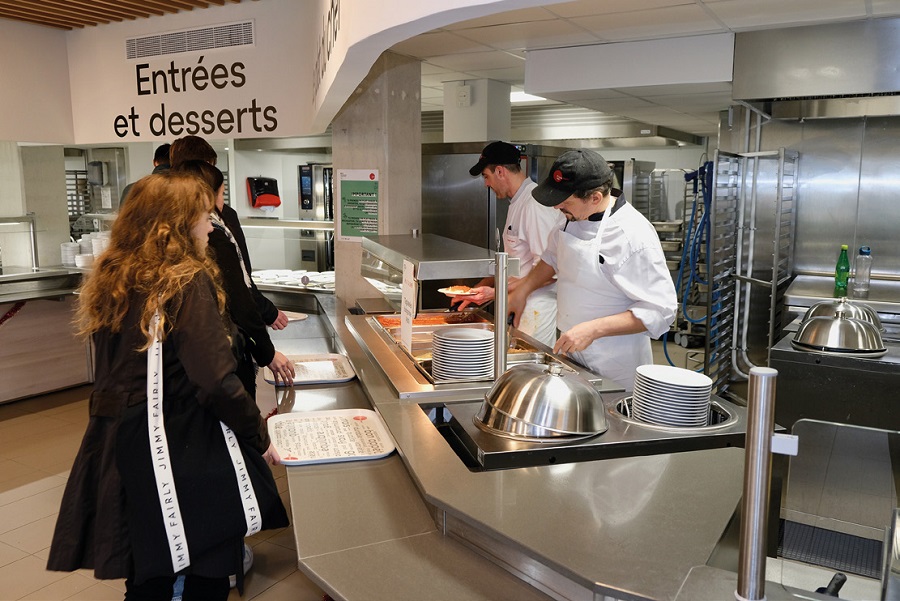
(757, 480)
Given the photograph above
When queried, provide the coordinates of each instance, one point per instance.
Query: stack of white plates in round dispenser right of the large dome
(671, 396)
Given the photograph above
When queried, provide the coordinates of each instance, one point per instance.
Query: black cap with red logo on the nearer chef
(574, 171)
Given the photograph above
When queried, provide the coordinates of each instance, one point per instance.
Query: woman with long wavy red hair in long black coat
(153, 495)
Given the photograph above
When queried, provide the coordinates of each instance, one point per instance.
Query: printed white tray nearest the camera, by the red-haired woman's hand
(310, 437)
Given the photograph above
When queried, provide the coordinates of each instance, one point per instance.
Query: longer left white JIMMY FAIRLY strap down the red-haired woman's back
(159, 451)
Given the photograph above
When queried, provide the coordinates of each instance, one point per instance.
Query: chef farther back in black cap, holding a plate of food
(528, 227)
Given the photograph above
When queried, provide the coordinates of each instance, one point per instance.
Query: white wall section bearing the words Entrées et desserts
(274, 76)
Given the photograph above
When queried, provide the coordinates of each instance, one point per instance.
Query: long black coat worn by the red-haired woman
(100, 526)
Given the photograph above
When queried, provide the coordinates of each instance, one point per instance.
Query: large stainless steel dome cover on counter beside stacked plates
(538, 400)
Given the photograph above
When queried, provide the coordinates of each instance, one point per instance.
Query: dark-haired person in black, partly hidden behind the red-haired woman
(237, 284)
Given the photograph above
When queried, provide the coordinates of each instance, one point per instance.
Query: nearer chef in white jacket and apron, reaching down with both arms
(614, 292)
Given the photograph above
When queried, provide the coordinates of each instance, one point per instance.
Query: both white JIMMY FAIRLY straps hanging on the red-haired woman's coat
(162, 464)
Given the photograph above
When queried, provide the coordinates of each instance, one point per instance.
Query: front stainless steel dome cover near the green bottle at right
(840, 334)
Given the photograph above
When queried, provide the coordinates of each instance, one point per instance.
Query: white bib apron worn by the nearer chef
(585, 292)
